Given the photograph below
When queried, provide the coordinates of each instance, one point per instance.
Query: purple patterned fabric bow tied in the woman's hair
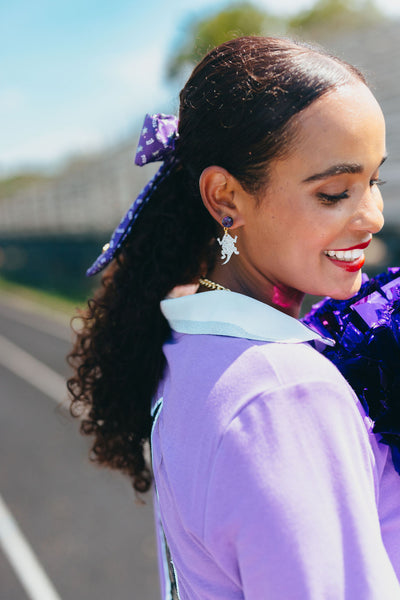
(156, 143)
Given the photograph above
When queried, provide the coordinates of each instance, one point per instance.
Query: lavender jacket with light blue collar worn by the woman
(269, 481)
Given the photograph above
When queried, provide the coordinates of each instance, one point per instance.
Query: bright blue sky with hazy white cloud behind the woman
(77, 76)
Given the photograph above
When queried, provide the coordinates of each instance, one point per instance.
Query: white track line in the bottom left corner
(22, 558)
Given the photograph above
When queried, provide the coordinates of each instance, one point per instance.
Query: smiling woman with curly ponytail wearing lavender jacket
(269, 480)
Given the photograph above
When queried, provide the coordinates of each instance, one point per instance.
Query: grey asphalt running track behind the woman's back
(85, 530)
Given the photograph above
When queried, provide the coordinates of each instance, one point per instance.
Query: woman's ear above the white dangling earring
(222, 195)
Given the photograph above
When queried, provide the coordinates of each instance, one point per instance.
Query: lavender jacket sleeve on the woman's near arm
(291, 504)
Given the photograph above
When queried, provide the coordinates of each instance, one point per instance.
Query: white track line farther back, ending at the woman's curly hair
(33, 371)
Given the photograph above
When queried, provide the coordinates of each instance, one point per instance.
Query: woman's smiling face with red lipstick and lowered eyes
(322, 204)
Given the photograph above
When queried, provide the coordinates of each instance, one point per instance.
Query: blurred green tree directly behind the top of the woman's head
(201, 35)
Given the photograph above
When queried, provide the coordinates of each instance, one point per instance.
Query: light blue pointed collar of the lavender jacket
(235, 315)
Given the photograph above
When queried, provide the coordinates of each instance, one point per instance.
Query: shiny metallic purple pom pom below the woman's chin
(366, 329)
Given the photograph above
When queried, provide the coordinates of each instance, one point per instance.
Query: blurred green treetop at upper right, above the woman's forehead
(333, 15)
